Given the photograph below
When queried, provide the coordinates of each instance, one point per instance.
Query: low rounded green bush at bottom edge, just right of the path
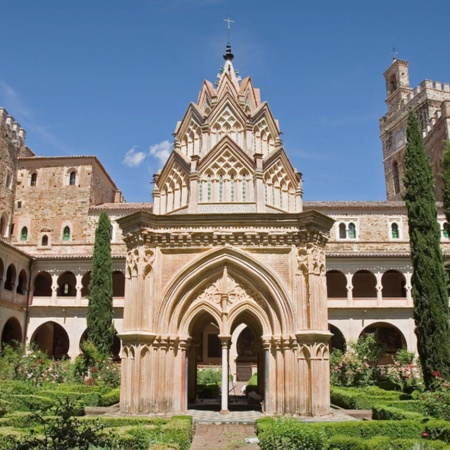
(290, 434)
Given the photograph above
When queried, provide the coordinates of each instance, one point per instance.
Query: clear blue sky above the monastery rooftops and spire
(113, 77)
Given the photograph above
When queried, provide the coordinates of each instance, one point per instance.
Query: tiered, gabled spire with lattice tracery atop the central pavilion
(228, 155)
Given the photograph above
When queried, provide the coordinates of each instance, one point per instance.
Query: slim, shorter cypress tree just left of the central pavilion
(100, 309)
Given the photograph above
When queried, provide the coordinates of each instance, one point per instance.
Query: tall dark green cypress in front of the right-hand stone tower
(430, 278)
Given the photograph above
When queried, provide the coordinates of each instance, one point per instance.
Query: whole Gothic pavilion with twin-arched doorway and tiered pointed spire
(226, 244)
